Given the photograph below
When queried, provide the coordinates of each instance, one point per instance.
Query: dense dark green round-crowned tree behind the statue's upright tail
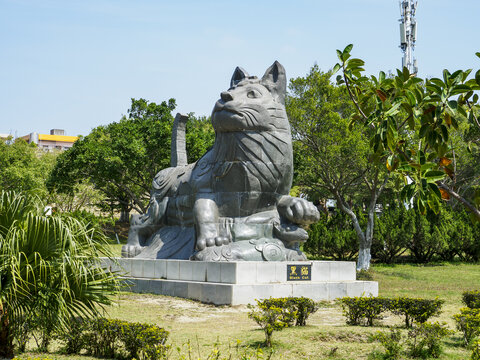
(121, 158)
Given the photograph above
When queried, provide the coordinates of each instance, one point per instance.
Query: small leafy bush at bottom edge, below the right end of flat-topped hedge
(424, 340)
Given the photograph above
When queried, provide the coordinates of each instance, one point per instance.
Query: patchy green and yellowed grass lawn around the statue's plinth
(326, 335)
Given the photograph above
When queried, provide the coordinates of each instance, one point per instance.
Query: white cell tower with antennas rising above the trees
(408, 34)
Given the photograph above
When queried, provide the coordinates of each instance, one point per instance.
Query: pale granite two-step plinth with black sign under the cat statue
(235, 283)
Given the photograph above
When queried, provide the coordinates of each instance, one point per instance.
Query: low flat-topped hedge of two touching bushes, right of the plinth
(364, 310)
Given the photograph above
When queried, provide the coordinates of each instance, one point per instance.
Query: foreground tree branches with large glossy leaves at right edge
(413, 120)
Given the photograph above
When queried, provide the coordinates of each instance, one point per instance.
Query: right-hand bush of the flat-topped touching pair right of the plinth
(415, 309)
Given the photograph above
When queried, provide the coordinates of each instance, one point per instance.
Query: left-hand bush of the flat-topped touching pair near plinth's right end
(363, 310)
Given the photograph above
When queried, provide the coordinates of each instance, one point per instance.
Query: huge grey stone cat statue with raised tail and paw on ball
(233, 203)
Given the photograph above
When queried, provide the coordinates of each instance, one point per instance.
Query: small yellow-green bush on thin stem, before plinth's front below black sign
(271, 317)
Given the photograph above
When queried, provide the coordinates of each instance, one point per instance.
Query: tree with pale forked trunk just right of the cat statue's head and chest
(331, 160)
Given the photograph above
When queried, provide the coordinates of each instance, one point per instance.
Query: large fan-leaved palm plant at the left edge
(49, 270)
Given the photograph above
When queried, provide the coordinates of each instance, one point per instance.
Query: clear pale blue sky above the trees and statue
(75, 64)
